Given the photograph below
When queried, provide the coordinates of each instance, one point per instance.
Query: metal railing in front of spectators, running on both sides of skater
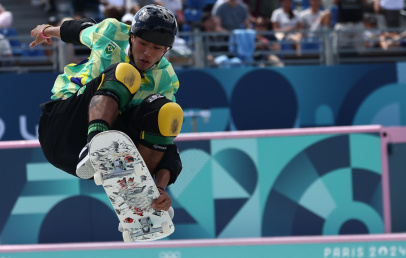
(196, 49)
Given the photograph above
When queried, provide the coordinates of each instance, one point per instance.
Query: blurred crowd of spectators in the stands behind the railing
(277, 24)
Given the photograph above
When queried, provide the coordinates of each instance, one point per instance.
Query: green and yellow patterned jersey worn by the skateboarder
(108, 42)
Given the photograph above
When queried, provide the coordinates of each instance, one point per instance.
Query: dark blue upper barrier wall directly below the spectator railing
(246, 98)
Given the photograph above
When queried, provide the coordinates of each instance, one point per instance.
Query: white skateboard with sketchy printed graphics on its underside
(122, 172)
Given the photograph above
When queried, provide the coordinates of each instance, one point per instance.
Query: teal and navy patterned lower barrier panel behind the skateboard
(325, 184)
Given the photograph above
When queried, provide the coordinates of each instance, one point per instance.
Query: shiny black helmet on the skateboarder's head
(155, 24)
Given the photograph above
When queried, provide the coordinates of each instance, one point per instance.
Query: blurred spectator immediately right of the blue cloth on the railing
(266, 41)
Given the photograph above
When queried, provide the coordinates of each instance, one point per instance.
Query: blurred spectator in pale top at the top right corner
(390, 10)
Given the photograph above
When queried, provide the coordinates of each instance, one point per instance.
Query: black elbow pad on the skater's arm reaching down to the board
(171, 161)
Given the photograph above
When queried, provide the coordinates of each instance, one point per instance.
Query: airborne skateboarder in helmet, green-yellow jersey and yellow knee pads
(126, 84)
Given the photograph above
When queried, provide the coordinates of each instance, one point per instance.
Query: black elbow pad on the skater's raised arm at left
(70, 30)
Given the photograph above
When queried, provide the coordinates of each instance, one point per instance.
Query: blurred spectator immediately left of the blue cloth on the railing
(216, 43)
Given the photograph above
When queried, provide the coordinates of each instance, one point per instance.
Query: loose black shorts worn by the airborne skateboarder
(63, 127)
